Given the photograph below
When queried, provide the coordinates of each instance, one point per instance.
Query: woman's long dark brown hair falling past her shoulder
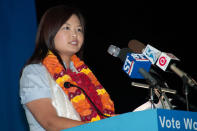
(49, 25)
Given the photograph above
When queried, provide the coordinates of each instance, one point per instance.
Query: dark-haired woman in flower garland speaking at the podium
(57, 89)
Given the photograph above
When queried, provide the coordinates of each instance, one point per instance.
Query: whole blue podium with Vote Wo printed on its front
(148, 120)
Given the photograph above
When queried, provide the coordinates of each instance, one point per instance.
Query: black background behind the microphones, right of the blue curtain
(167, 25)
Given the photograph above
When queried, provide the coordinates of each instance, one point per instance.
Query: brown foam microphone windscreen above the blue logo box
(136, 46)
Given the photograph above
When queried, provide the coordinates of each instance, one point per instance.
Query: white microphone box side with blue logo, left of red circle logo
(151, 53)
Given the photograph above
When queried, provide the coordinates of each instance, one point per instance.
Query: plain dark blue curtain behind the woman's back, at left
(17, 36)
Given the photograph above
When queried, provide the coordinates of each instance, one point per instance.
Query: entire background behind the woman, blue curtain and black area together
(167, 25)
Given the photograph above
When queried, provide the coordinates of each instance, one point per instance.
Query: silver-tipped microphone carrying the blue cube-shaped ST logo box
(132, 61)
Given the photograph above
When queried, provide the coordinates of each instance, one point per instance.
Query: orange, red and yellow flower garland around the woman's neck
(87, 81)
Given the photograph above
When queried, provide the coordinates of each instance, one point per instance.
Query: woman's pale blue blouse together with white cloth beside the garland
(36, 83)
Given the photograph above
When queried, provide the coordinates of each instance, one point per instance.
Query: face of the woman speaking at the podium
(69, 38)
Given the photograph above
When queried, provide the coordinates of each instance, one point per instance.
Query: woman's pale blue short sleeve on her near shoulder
(34, 83)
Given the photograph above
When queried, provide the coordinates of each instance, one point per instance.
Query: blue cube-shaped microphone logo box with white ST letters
(132, 64)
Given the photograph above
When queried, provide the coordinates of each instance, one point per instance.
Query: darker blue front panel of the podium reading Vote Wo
(174, 120)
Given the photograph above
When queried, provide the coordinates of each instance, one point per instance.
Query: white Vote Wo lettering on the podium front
(189, 124)
